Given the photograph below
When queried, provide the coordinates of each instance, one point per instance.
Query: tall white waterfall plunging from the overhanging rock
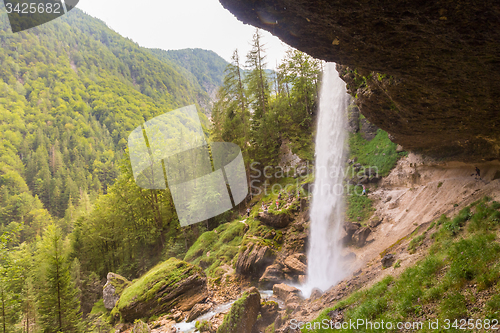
(325, 267)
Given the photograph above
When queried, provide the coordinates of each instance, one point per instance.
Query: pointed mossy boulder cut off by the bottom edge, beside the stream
(243, 314)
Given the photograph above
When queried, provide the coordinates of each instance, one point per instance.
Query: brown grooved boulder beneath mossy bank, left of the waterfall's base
(253, 261)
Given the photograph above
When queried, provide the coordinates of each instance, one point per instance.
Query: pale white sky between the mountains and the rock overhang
(180, 24)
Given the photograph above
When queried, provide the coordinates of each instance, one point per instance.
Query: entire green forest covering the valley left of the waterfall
(71, 91)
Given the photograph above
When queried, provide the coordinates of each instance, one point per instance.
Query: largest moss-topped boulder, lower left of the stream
(173, 283)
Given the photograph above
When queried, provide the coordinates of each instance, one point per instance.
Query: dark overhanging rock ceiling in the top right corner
(431, 78)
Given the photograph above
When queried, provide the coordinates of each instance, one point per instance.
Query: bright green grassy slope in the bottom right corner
(463, 255)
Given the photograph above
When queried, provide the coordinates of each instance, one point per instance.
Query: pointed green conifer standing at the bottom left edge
(59, 306)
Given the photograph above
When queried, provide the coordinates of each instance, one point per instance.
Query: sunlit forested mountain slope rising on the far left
(71, 91)
